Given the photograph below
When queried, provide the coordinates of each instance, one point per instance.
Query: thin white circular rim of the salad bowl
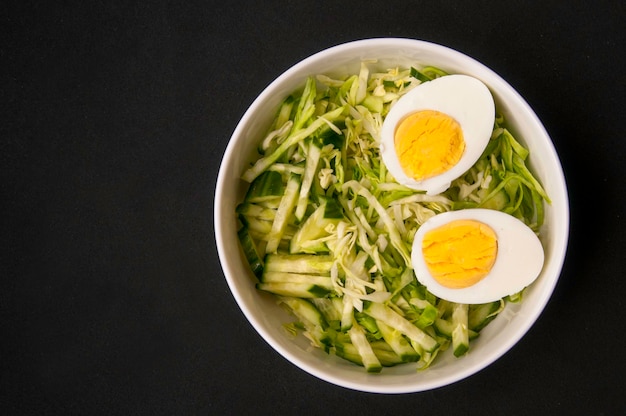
(364, 385)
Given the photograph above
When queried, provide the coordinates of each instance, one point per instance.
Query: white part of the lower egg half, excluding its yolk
(519, 259)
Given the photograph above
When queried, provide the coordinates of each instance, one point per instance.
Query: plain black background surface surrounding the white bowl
(115, 116)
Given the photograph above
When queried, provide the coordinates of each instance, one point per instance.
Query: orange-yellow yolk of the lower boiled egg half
(460, 253)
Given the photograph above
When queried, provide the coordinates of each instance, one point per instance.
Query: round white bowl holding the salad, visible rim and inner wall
(261, 310)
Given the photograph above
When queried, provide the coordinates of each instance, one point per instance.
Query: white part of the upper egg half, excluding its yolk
(464, 98)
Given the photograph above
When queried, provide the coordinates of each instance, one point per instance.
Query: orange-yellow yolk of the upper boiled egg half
(428, 143)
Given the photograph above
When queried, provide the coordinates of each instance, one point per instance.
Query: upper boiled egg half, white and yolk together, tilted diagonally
(436, 132)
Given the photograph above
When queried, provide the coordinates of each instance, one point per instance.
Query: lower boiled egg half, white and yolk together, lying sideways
(476, 255)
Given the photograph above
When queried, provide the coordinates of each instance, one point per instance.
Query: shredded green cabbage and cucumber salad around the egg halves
(328, 230)
